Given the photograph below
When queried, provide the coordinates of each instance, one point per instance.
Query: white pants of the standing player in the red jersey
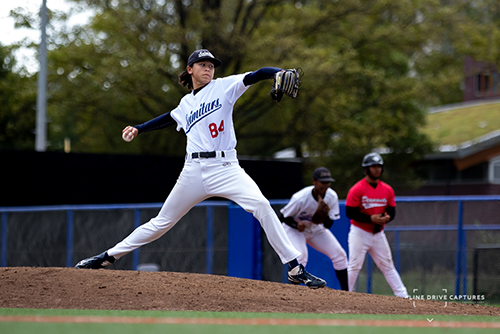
(360, 242)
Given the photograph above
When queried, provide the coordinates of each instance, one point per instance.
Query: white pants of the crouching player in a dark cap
(320, 239)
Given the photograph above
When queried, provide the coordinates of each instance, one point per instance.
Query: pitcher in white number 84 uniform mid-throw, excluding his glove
(211, 167)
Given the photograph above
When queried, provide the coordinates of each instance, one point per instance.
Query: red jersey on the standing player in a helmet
(370, 201)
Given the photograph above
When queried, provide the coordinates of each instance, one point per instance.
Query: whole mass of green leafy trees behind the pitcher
(371, 70)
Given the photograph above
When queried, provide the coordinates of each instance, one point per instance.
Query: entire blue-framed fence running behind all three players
(219, 237)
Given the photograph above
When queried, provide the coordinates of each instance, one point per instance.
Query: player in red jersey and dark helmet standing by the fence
(370, 205)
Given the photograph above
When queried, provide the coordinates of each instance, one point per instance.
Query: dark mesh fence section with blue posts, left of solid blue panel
(41, 237)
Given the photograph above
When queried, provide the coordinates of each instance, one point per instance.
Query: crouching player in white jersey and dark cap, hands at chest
(307, 219)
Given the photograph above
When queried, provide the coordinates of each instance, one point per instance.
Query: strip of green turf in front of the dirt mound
(127, 328)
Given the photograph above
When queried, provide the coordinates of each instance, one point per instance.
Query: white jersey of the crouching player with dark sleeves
(302, 206)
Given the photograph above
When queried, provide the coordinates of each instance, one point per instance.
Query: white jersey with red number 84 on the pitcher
(207, 116)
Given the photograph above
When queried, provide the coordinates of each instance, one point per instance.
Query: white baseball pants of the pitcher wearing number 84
(203, 178)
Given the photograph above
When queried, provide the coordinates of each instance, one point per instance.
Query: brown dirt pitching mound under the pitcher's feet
(105, 289)
